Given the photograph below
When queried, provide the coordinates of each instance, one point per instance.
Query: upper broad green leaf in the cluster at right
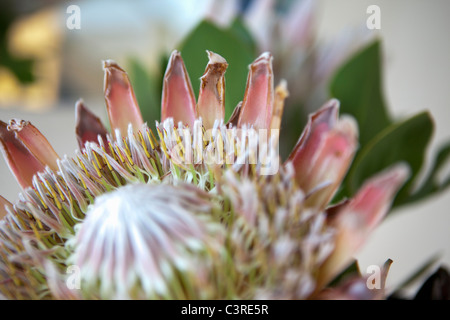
(358, 86)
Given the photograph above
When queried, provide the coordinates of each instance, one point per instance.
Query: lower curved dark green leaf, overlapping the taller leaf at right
(403, 141)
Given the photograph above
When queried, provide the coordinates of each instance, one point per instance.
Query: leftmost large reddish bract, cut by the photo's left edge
(21, 161)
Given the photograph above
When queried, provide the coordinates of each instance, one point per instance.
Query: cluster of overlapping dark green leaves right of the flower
(383, 140)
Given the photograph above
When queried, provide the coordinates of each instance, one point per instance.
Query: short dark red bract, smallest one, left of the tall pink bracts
(88, 125)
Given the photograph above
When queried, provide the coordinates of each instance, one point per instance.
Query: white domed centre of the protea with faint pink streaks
(149, 241)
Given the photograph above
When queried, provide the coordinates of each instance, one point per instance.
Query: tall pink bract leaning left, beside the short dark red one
(120, 100)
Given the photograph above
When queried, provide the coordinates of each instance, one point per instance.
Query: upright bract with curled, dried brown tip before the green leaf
(211, 98)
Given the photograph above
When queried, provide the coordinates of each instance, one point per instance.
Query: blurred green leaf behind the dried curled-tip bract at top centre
(237, 52)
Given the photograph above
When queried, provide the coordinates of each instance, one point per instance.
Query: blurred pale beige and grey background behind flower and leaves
(45, 67)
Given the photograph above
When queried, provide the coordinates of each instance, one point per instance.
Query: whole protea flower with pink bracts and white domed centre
(199, 209)
